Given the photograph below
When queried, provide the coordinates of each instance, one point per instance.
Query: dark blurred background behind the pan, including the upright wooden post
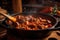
(27, 5)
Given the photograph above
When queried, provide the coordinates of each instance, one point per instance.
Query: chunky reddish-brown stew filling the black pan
(31, 22)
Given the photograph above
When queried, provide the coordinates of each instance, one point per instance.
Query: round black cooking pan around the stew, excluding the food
(33, 33)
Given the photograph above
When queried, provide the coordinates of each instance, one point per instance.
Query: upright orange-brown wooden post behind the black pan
(17, 5)
